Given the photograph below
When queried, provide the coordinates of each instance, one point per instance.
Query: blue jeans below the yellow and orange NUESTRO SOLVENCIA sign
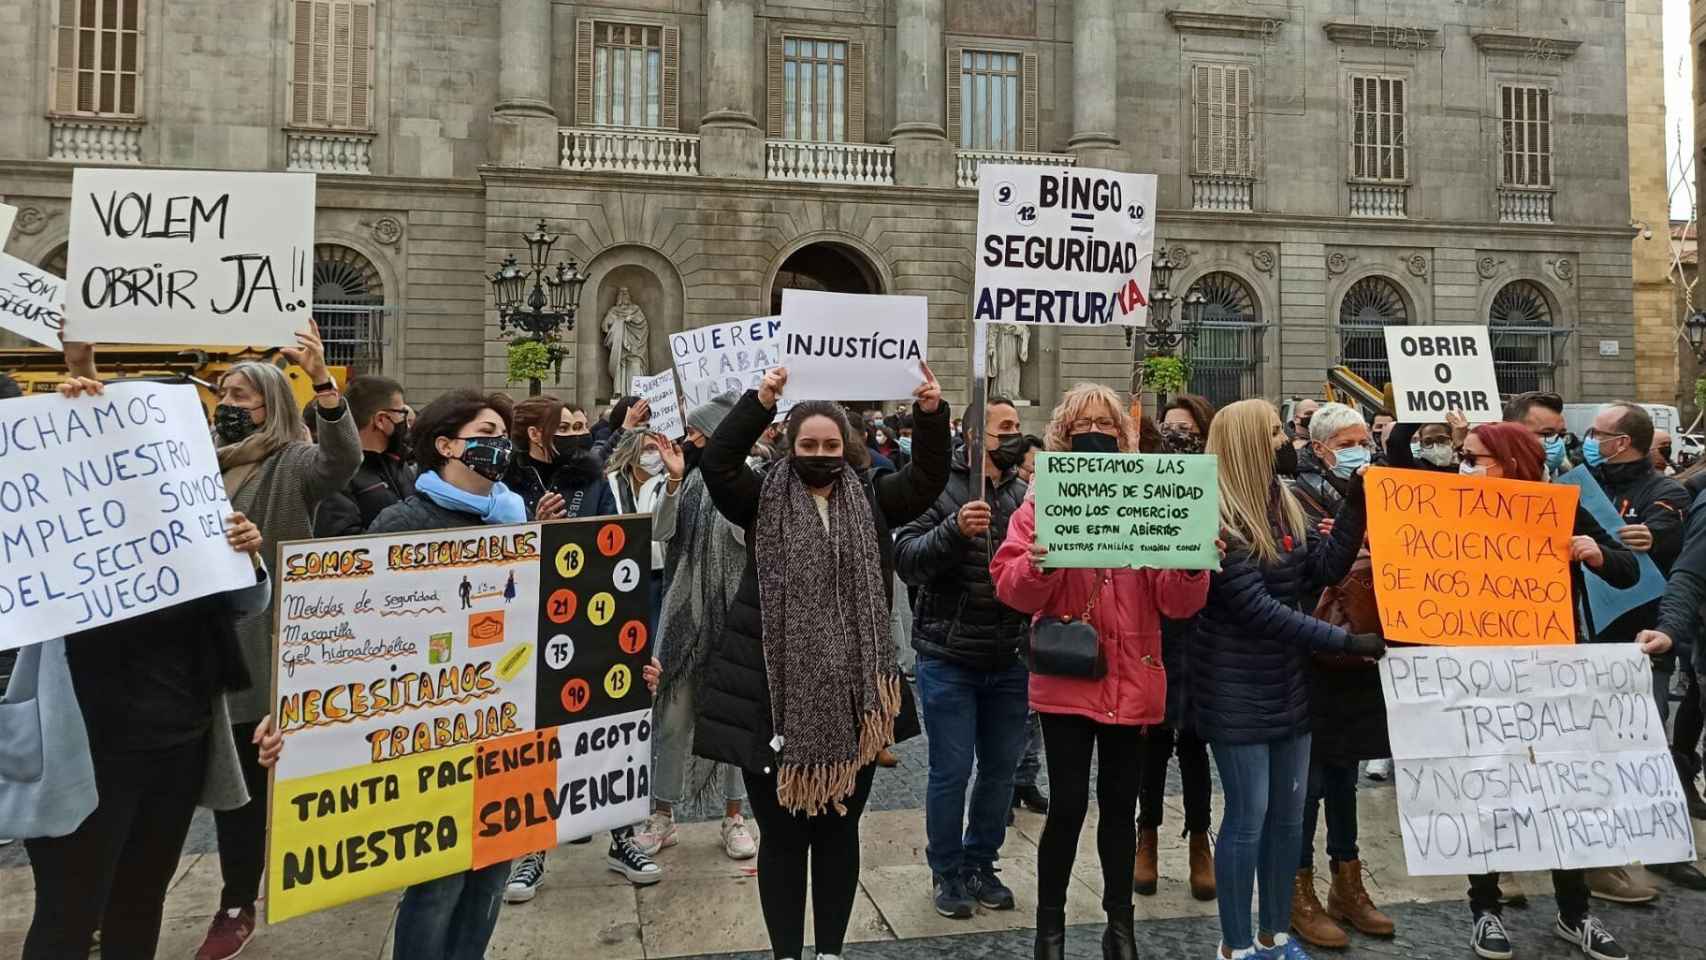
(451, 918)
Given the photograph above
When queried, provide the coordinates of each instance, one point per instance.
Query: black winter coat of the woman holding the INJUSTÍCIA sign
(734, 726)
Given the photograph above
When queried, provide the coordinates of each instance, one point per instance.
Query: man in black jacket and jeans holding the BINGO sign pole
(972, 686)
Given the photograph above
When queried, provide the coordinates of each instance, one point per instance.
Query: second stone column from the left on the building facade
(731, 139)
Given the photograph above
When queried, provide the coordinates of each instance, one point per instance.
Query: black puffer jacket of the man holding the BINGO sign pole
(958, 616)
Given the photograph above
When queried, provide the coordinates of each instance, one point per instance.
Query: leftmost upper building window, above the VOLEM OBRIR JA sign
(98, 59)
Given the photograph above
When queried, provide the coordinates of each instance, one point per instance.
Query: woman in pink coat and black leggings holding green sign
(1110, 714)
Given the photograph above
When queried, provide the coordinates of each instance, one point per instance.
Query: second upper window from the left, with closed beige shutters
(332, 64)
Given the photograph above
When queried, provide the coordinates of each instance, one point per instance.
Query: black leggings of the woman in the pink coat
(1067, 743)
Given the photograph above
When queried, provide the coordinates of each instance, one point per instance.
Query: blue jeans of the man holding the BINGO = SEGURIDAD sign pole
(970, 715)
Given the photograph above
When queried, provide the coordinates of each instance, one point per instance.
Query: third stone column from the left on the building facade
(922, 151)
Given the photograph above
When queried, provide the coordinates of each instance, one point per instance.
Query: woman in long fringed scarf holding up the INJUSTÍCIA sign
(803, 691)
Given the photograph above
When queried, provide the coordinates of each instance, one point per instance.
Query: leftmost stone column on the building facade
(523, 122)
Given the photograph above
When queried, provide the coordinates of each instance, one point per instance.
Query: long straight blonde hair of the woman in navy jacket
(1243, 437)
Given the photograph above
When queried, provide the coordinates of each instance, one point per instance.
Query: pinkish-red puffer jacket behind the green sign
(1129, 613)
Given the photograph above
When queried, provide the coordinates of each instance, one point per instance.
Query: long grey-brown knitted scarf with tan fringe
(833, 683)
